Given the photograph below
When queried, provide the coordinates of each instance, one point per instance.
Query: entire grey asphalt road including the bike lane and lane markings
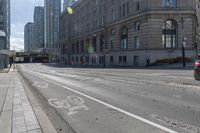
(94, 100)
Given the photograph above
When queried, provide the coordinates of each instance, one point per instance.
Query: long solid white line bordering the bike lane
(111, 106)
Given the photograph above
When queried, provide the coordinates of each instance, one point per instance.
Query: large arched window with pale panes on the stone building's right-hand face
(169, 35)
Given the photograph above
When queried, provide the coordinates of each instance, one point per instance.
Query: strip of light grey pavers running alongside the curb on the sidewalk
(24, 119)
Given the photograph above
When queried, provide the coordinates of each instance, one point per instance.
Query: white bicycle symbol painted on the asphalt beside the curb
(72, 104)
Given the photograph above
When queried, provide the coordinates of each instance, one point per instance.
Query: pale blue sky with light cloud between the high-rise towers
(21, 13)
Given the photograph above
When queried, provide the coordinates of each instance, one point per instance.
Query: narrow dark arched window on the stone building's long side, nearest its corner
(124, 38)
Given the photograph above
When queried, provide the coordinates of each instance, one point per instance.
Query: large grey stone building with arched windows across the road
(128, 32)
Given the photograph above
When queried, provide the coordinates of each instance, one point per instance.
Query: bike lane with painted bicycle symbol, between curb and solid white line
(85, 115)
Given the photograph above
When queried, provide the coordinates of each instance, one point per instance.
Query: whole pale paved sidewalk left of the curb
(16, 112)
